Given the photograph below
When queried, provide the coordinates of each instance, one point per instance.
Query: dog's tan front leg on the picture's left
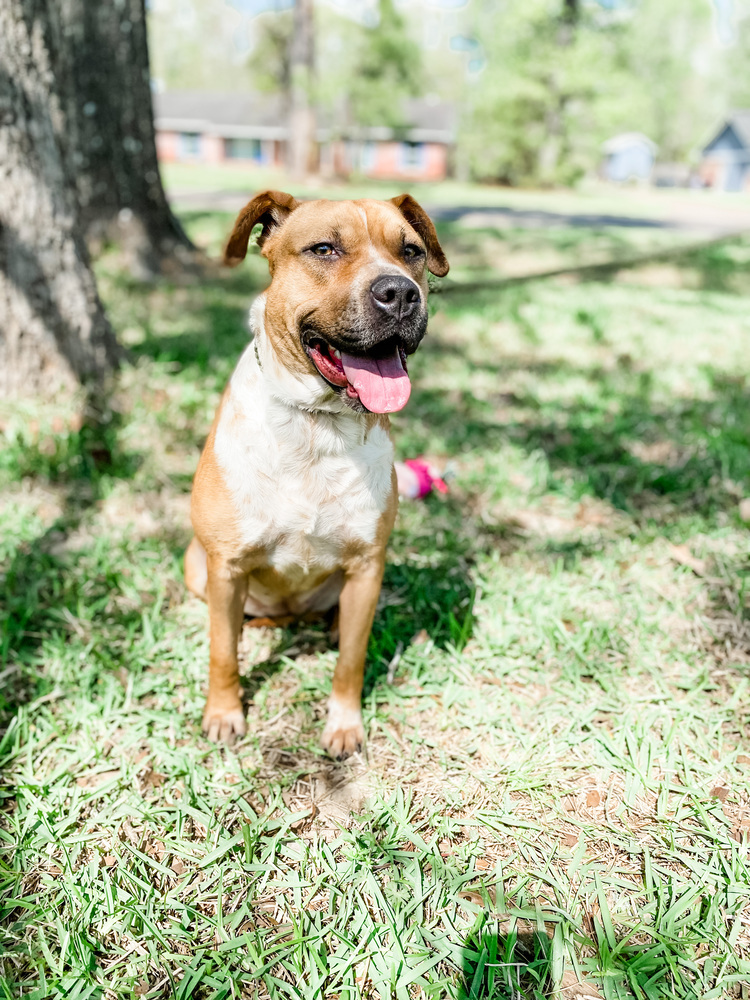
(223, 718)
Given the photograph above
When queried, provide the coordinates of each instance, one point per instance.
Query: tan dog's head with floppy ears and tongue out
(348, 296)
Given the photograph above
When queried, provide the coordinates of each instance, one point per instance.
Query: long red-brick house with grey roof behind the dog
(213, 128)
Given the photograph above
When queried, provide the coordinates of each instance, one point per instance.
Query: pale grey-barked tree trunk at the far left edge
(53, 330)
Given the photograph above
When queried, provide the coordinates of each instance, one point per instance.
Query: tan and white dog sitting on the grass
(295, 493)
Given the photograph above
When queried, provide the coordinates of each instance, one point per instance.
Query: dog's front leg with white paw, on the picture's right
(344, 733)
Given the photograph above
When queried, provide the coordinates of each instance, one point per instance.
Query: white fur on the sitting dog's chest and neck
(305, 482)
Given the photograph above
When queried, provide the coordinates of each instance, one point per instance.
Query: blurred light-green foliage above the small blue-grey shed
(552, 91)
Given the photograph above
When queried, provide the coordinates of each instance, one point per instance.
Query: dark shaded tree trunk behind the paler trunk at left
(106, 92)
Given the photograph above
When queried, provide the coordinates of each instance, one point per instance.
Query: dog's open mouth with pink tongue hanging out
(380, 383)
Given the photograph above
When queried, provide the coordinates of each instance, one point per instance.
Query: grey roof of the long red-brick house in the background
(262, 116)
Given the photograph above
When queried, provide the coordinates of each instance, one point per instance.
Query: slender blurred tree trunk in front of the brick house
(302, 115)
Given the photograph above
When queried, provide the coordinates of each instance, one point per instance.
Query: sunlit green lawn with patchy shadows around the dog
(557, 785)
